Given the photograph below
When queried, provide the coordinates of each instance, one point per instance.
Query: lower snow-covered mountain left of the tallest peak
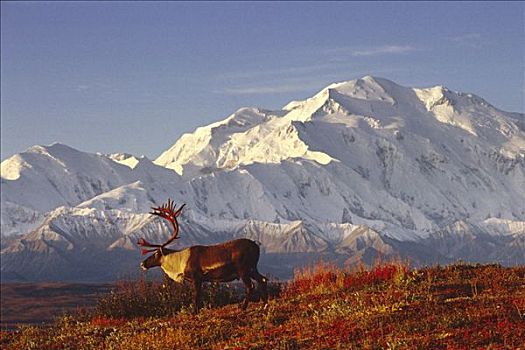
(45, 177)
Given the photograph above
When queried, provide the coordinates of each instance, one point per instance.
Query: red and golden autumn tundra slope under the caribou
(389, 306)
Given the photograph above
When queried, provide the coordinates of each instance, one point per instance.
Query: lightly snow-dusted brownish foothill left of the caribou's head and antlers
(74, 244)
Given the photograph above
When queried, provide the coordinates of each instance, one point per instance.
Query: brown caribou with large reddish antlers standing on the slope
(225, 262)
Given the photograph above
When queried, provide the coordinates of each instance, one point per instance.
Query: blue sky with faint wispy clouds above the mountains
(132, 77)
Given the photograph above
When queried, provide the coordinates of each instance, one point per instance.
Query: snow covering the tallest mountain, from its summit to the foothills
(415, 158)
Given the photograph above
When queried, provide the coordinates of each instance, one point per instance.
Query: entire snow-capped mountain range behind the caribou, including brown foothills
(364, 167)
